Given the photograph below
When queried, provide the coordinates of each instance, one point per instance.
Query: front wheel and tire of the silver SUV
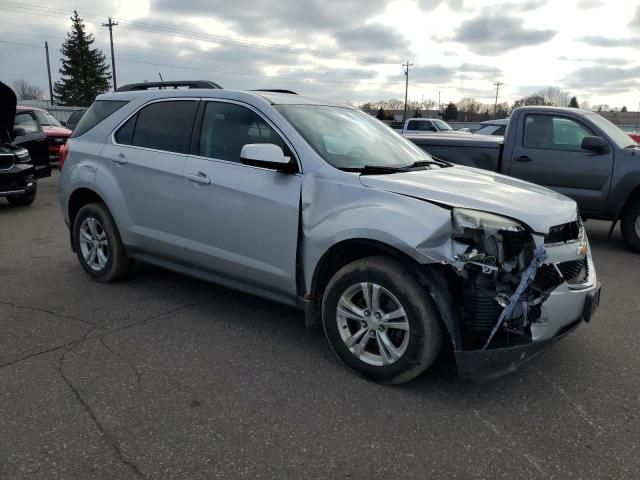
(380, 321)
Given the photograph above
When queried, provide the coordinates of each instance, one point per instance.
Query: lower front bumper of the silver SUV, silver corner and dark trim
(570, 309)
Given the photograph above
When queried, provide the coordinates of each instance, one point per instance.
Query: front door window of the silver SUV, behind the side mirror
(227, 127)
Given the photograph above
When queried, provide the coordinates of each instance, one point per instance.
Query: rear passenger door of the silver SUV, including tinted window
(145, 161)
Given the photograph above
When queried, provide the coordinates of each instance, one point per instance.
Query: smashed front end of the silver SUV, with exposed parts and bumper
(515, 291)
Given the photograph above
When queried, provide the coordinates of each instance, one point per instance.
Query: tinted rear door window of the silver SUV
(165, 126)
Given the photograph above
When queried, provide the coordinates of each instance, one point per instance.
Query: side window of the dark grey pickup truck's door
(556, 133)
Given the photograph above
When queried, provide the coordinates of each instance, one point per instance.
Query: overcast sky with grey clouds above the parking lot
(350, 50)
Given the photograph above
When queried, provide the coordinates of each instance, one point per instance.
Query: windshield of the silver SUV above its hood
(351, 139)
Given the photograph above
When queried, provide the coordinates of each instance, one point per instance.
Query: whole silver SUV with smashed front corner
(320, 206)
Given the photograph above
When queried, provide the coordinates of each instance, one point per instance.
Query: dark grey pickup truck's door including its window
(547, 152)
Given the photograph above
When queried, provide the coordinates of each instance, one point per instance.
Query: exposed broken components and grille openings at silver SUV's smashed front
(504, 281)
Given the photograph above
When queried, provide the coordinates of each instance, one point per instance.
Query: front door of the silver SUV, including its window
(241, 222)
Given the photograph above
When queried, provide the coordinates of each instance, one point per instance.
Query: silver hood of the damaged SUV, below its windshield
(457, 186)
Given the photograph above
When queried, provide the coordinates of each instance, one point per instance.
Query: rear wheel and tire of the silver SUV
(98, 245)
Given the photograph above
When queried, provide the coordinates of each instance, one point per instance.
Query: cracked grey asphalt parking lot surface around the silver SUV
(162, 376)
